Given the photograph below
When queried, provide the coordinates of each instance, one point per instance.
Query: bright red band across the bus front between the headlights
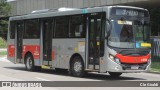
(133, 59)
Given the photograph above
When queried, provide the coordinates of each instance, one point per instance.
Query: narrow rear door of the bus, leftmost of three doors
(19, 41)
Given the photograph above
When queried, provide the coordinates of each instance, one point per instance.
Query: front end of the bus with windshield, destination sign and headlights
(128, 40)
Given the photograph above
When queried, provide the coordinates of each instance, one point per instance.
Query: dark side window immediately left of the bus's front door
(77, 27)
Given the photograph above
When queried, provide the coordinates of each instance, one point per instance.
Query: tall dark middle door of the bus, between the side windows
(47, 41)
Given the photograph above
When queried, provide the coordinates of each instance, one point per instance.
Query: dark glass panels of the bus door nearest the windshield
(94, 41)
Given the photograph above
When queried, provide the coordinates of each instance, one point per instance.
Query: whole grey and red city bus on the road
(108, 39)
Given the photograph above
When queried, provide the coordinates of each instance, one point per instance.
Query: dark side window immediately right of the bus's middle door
(62, 27)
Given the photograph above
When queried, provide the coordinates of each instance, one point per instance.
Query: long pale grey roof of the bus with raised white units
(65, 11)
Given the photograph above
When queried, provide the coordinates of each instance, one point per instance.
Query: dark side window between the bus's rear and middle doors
(32, 29)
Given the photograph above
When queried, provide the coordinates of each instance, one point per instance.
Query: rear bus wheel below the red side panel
(29, 64)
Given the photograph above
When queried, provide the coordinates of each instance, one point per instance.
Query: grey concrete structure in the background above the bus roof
(20, 7)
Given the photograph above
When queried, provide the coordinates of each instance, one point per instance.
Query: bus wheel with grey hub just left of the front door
(77, 67)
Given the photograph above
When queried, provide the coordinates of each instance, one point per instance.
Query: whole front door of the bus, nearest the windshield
(94, 41)
